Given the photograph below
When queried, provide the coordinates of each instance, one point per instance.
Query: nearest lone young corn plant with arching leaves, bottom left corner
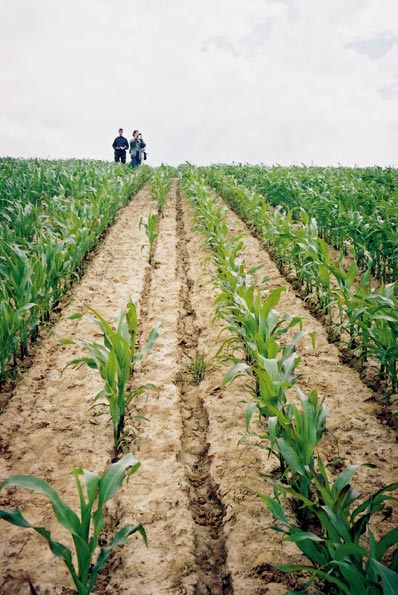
(85, 530)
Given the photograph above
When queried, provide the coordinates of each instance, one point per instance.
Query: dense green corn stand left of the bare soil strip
(52, 214)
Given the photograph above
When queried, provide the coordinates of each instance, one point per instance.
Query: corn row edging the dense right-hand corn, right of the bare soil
(364, 317)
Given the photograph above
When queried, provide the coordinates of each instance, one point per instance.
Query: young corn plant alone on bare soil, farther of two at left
(115, 359)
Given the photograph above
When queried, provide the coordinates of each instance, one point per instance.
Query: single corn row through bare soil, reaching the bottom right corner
(322, 517)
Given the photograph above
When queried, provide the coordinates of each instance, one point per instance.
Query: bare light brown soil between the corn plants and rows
(194, 493)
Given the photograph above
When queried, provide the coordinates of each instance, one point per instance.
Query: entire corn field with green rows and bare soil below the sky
(225, 340)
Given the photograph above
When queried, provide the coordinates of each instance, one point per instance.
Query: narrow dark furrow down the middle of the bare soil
(207, 509)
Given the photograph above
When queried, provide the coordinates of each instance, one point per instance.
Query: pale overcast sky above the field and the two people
(205, 81)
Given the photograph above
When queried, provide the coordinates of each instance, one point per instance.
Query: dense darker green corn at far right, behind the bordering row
(355, 209)
